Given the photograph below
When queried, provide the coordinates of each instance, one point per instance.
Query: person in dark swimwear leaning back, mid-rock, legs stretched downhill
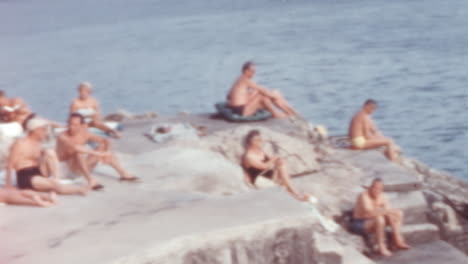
(257, 163)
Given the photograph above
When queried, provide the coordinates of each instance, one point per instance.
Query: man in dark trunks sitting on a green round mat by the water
(246, 97)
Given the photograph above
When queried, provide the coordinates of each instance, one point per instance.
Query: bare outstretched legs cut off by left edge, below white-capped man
(14, 196)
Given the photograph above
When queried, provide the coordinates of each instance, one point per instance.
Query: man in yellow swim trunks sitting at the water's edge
(363, 134)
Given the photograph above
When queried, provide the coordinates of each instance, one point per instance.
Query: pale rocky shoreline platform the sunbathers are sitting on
(193, 206)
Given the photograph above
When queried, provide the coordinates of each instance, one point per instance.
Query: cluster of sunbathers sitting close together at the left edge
(37, 169)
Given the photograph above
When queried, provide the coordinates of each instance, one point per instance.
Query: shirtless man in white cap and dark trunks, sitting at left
(35, 168)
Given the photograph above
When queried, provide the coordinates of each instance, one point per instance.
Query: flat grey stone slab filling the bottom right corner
(436, 252)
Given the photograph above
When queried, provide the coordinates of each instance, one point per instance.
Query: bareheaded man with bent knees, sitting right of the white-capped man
(72, 148)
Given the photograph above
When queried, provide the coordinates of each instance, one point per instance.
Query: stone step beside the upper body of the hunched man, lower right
(413, 204)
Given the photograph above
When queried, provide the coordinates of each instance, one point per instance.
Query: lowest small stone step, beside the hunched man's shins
(420, 233)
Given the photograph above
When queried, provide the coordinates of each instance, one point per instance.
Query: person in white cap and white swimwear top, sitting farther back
(88, 107)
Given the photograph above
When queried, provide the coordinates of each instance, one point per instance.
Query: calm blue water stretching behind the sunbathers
(327, 56)
